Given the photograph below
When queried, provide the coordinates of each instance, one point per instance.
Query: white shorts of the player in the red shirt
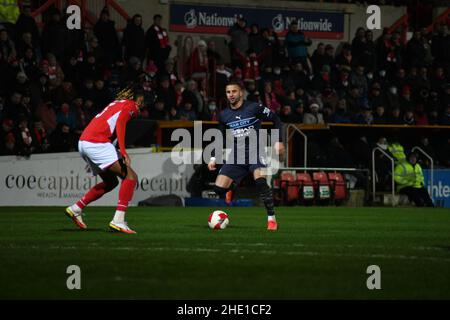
(99, 156)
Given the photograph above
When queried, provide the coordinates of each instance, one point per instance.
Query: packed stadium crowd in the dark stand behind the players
(55, 80)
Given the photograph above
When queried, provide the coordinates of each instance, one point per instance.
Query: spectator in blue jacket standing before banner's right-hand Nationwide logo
(297, 44)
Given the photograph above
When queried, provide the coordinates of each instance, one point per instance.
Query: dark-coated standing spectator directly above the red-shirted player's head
(133, 40)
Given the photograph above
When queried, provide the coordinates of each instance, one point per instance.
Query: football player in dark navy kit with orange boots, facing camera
(243, 118)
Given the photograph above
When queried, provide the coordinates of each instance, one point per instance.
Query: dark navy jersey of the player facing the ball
(243, 126)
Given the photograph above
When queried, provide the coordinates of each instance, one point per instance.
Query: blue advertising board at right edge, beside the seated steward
(441, 187)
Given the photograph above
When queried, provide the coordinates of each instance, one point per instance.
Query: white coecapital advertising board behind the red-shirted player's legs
(62, 178)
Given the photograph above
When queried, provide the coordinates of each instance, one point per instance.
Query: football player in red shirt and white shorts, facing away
(97, 149)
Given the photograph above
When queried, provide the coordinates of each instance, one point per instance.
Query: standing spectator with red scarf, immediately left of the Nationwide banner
(157, 42)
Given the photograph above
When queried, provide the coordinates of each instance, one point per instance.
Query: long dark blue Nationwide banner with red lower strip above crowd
(218, 20)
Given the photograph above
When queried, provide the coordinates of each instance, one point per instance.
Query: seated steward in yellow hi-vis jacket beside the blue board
(410, 181)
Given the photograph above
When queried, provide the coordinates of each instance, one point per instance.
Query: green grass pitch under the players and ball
(318, 253)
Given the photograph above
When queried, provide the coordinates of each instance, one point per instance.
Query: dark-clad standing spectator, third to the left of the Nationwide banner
(105, 32)
